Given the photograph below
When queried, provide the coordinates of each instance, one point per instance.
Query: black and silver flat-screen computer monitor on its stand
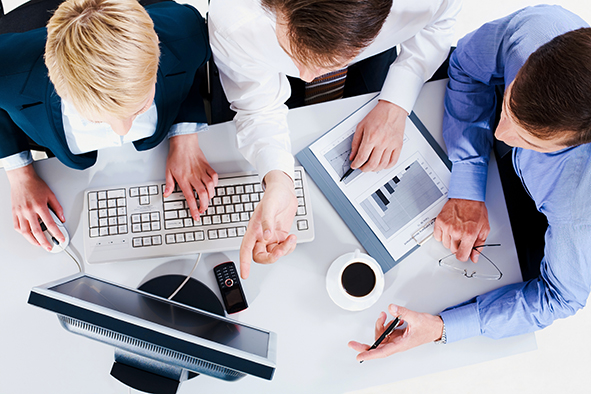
(156, 337)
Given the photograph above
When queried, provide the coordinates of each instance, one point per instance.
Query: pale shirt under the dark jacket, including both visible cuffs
(83, 136)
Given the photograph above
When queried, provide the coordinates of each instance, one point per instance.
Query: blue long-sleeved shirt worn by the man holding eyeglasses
(559, 182)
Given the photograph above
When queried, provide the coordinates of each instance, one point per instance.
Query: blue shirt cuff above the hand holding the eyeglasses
(468, 182)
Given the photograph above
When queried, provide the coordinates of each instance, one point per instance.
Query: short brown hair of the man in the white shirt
(327, 32)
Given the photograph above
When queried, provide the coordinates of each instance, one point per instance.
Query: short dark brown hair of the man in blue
(551, 94)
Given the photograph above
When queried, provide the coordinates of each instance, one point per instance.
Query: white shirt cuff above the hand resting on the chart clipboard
(402, 88)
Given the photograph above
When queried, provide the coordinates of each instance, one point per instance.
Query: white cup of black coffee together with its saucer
(355, 281)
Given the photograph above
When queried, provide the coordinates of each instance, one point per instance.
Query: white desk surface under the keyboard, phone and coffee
(288, 297)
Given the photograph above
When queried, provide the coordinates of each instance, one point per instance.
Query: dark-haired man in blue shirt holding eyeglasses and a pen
(542, 55)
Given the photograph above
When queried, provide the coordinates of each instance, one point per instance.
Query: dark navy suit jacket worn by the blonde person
(29, 104)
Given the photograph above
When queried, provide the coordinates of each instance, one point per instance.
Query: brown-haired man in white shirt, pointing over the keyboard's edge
(257, 45)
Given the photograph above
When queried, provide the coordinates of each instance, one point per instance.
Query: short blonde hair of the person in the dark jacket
(102, 55)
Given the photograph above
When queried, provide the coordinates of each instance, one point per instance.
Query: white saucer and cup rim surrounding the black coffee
(338, 294)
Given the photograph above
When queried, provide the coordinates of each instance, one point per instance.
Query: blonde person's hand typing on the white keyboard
(187, 165)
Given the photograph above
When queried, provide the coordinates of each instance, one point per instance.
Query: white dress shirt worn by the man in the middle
(253, 67)
